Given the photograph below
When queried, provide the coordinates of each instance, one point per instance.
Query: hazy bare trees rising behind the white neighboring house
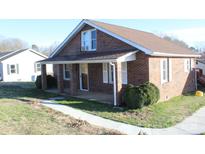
(9, 44)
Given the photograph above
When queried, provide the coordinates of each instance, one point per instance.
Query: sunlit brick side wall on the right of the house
(181, 82)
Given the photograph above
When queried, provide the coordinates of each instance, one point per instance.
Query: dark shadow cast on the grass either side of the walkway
(25, 91)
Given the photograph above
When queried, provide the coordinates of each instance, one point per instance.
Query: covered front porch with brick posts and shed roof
(85, 77)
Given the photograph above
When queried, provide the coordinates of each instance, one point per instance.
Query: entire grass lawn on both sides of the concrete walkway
(42, 121)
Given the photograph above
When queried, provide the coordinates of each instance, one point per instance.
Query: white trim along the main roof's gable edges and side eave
(140, 47)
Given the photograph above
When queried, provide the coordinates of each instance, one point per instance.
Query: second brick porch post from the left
(60, 78)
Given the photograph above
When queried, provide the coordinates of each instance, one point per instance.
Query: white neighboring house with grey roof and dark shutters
(20, 65)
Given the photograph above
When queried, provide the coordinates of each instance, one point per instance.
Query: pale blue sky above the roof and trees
(46, 32)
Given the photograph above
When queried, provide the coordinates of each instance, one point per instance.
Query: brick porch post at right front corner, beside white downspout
(118, 78)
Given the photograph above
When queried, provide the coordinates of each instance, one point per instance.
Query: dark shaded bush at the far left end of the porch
(51, 82)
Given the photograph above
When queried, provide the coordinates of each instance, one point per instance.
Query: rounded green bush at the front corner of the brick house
(139, 96)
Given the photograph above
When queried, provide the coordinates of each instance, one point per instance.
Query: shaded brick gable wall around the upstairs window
(105, 43)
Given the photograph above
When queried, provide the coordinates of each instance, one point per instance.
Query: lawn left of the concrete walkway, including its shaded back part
(30, 117)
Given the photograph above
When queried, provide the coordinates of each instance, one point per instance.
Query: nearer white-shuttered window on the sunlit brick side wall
(166, 70)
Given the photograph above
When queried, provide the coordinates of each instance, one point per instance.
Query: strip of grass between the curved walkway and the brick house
(160, 115)
